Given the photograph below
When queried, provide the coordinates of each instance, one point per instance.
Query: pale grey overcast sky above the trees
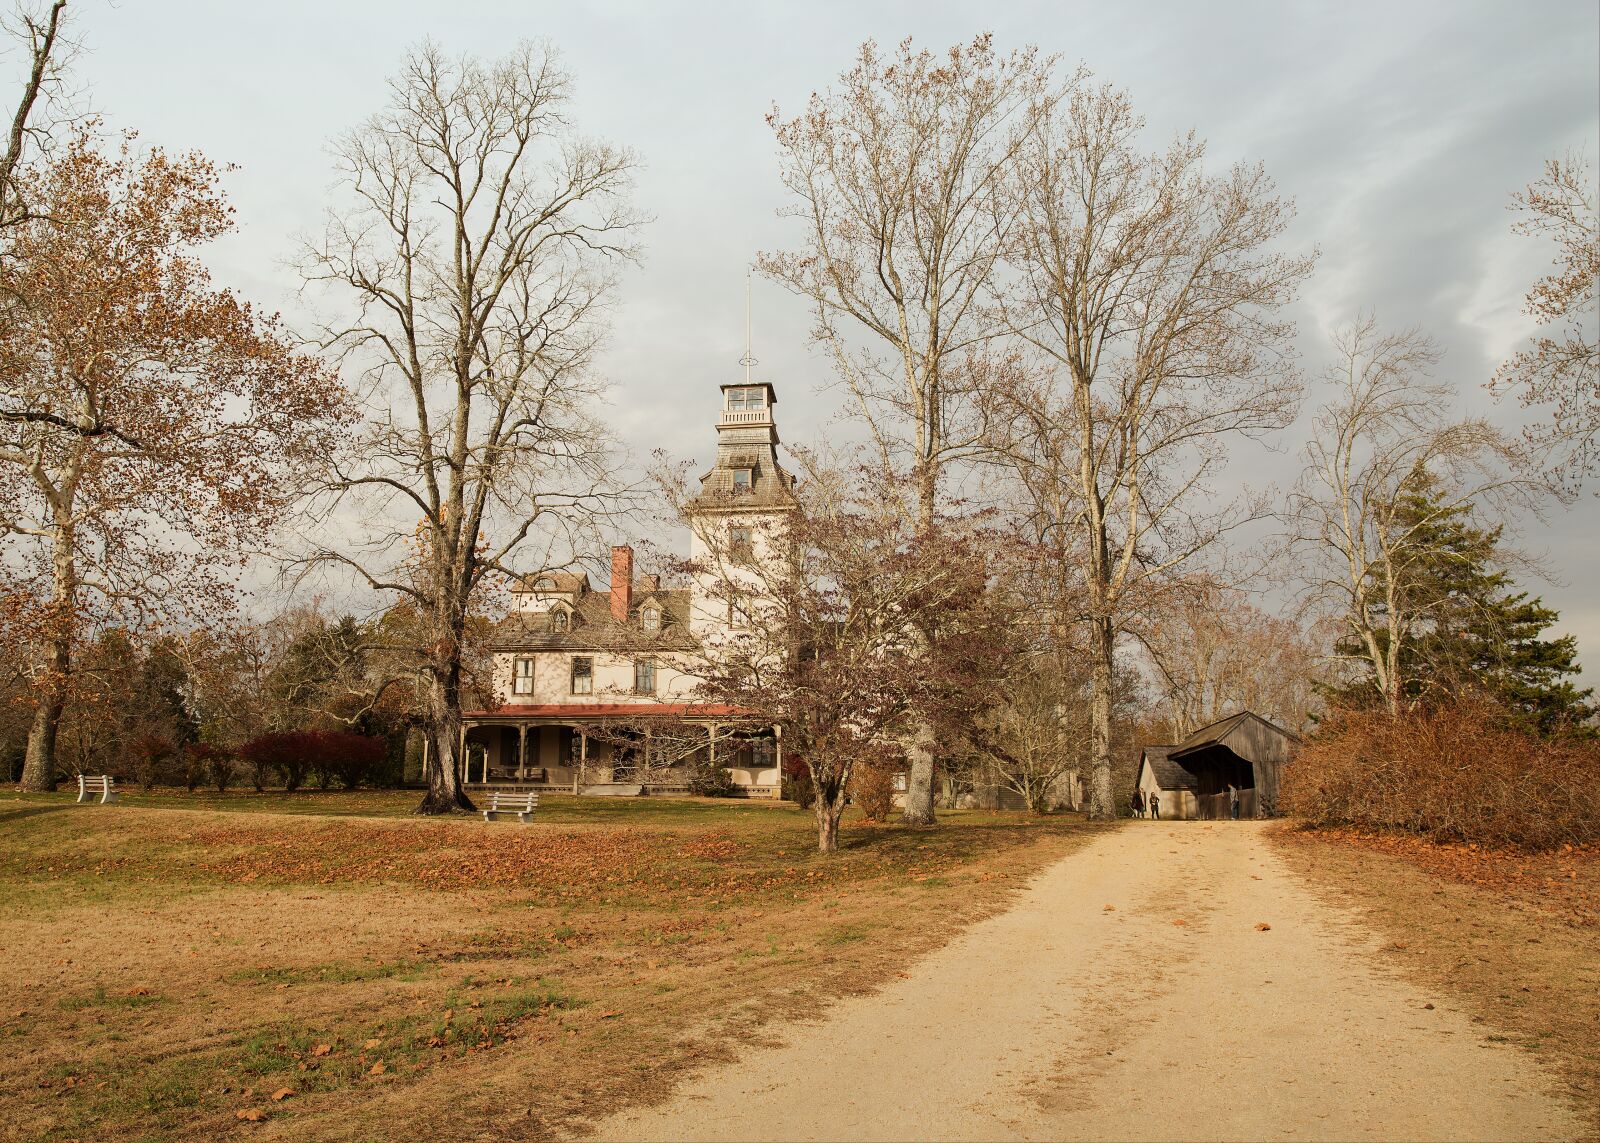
(1401, 129)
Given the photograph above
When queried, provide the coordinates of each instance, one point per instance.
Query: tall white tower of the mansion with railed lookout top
(738, 519)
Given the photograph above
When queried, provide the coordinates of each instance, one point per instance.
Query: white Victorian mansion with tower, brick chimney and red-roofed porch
(582, 676)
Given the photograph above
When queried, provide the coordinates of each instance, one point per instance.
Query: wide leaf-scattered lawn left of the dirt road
(329, 966)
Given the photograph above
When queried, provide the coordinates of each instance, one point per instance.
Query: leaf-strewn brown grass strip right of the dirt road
(1514, 937)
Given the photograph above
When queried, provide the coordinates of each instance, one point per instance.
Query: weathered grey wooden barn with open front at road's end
(1193, 777)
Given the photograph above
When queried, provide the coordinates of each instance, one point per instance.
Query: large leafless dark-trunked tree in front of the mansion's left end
(476, 254)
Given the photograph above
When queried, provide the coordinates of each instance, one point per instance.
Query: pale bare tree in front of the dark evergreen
(1388, 430)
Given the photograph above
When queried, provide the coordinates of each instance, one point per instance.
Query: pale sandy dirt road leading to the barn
(1132, 995)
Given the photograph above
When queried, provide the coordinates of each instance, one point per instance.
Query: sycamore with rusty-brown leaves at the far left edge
(151, 423)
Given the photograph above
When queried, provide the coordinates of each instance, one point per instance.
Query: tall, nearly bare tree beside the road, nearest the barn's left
(1146, 295)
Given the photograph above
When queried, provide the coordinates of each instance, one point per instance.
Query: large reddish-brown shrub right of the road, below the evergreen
(1457, 772)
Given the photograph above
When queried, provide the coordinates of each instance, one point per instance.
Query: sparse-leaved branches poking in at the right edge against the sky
(1561, 371)
